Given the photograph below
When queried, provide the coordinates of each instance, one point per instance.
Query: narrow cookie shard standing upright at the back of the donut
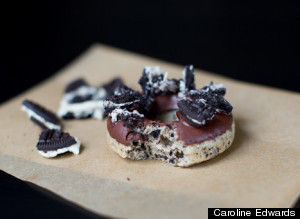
(187, 82)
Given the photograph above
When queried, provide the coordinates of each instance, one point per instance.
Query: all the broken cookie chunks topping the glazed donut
(197, 106)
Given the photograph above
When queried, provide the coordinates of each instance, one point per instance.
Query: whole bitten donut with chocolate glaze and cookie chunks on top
(169, 120)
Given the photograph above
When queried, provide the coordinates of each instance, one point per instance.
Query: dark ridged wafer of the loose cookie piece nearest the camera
(51, 140)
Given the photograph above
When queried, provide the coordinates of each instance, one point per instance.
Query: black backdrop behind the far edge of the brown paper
(255, 42)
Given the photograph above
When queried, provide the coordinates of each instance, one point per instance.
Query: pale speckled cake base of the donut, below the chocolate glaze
(177, 154)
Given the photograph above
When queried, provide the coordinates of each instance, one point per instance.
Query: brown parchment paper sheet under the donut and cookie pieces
(261, 169)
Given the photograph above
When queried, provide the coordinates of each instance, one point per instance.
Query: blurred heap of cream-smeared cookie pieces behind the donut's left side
(82, 101)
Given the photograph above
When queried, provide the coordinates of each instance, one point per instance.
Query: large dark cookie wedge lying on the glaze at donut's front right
(197, 112)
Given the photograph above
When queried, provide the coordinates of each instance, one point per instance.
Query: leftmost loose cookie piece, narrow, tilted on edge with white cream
(40, 116)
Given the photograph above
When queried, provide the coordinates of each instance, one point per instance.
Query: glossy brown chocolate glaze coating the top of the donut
(187, 133)
